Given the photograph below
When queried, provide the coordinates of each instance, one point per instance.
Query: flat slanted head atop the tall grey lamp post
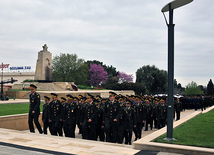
(175, 4)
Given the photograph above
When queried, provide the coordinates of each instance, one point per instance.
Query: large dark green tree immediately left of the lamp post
(154, 80)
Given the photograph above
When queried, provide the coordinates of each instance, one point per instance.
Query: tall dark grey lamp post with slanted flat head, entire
(170, 7)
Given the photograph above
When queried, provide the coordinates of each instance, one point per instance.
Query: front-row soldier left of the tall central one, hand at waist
(90, 119)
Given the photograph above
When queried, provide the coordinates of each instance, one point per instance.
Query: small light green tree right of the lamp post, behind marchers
(193, 89)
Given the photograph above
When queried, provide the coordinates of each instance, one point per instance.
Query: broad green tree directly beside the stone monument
(68, 68)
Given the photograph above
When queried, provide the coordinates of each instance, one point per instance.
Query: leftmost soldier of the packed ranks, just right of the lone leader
(45, 113)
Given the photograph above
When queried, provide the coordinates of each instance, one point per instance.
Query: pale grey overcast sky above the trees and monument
(126, 34)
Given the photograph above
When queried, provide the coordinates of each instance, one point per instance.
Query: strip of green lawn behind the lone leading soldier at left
(11, 109)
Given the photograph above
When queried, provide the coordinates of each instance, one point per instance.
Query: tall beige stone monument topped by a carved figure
(44, 65)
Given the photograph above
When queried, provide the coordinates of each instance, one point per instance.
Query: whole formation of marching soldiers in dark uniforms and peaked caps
(114, 119)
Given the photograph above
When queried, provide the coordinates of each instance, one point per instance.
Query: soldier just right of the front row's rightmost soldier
(140, 117)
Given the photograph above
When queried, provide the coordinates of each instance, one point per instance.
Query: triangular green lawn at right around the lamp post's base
(198, 131)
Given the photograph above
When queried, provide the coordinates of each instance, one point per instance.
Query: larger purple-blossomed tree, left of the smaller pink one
(98, 75)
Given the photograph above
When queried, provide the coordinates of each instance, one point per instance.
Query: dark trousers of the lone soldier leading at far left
(34, 118)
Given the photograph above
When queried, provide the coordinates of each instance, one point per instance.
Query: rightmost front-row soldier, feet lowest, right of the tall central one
(130, 122)
